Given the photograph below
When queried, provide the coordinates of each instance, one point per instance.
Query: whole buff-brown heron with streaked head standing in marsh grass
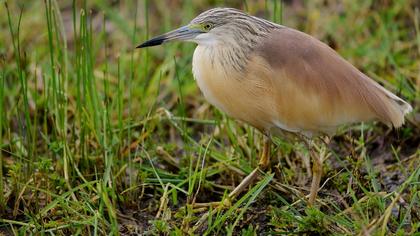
(280, 81)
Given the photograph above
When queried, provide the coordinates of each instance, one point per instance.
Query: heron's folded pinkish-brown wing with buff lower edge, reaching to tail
(317, 90)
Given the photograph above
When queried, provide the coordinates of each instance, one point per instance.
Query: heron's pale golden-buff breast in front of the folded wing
(240, 94)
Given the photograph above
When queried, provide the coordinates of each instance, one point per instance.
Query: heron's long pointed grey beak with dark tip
(184, 33)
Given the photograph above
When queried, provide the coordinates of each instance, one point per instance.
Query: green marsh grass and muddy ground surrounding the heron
(99, 138)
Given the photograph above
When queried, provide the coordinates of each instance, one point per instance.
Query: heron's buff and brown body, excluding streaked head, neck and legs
(293, 82)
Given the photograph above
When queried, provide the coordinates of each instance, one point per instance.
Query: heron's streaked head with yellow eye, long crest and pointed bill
(214, 26)
